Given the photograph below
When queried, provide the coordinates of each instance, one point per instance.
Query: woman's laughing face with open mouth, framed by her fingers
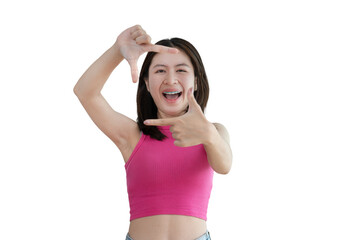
(170, 78)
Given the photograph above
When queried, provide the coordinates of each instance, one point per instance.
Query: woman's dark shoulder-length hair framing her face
(146, 107)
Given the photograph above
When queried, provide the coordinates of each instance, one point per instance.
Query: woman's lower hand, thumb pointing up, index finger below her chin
(190, 129)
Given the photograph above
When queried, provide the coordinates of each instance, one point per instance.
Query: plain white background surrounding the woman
(284, 79)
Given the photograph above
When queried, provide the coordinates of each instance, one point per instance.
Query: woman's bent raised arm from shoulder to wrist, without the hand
(119, 128)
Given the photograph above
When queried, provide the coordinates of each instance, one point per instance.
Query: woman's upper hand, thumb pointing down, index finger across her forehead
(133, 42)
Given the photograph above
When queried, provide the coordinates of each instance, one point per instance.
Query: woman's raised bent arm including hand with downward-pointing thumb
(122, 130)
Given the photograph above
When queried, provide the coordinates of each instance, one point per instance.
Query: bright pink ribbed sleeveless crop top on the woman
(165, 179)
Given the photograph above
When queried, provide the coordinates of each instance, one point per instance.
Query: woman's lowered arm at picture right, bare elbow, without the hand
(218, 148)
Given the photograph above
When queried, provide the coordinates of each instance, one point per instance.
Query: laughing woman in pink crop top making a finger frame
(171, 152)
